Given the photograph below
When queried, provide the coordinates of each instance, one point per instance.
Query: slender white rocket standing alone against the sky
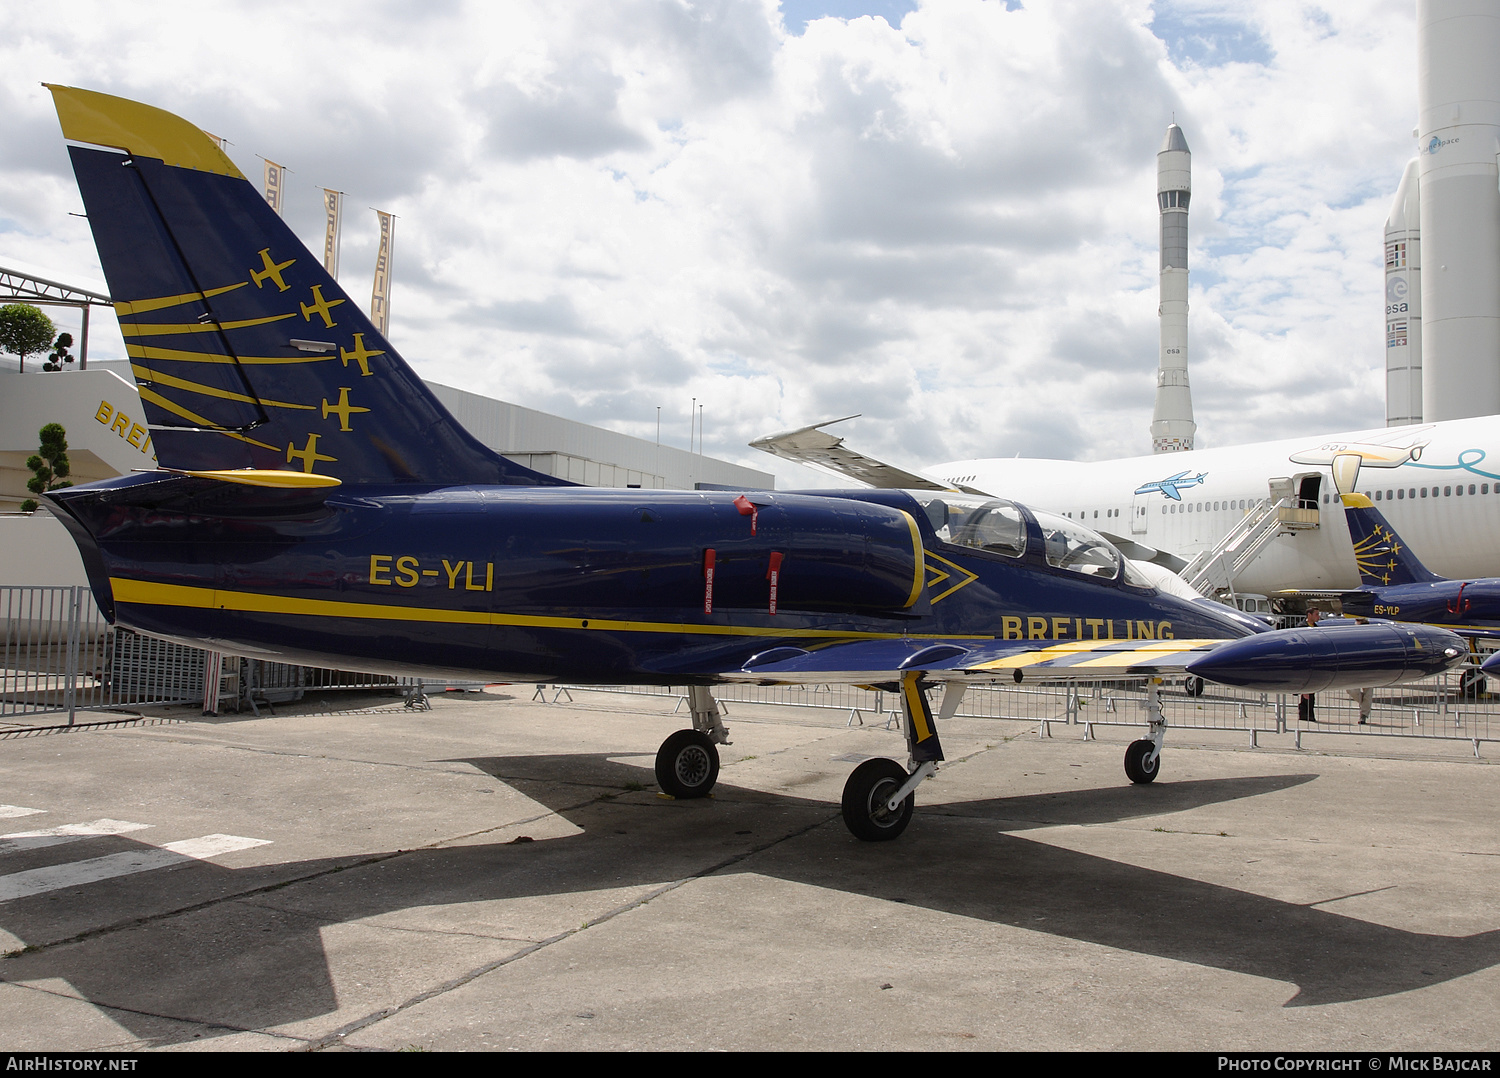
(1172, 427)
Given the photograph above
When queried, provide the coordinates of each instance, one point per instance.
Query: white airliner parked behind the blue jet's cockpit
(1439, 485)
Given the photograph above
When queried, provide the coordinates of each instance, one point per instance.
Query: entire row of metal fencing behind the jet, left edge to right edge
(58, 654)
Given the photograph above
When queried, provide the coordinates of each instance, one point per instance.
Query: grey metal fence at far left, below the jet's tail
(58, 654)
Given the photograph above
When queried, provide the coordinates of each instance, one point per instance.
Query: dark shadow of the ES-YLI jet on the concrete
(256, 960)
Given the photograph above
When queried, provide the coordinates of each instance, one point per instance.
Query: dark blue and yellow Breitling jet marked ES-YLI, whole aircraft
(314, 503)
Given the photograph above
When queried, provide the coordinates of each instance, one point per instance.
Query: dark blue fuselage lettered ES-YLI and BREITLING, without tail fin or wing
(589, 585)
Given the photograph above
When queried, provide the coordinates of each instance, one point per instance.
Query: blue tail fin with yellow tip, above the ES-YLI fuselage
(247, 353)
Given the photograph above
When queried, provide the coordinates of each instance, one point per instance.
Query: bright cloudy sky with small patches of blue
(940, 215)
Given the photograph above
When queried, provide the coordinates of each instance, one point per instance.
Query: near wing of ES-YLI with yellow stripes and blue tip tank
(1288, 662)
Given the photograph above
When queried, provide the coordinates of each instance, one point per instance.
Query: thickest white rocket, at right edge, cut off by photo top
(1459, 137)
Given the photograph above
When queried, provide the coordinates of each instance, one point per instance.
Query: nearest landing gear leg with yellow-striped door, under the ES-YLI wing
(880, 795)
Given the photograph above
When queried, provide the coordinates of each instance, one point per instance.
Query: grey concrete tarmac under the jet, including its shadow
(502, 875)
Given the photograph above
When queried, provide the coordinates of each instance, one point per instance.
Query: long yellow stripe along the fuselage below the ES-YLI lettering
(149, 593)
